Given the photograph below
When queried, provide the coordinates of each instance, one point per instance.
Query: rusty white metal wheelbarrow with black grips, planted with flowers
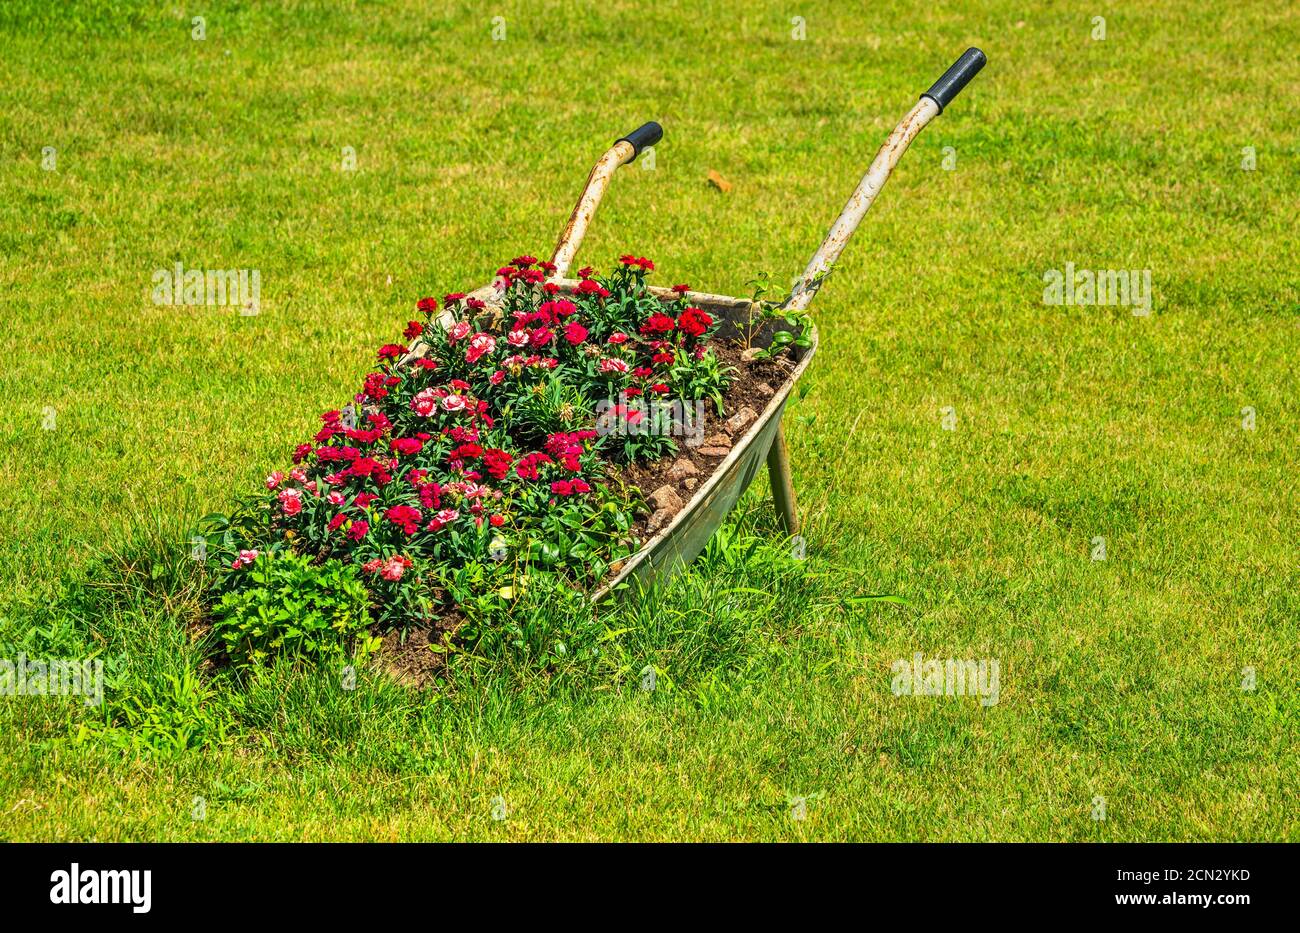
(682, 540)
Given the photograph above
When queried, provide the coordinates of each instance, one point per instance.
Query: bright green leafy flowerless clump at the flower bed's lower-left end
(292, 607)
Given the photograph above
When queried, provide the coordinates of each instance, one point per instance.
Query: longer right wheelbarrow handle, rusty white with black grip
(930, 106)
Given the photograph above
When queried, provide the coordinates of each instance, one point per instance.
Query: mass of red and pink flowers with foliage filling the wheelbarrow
(476, 445)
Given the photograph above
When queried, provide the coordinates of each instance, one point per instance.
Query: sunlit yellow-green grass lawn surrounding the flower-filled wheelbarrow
(1126, 679)
